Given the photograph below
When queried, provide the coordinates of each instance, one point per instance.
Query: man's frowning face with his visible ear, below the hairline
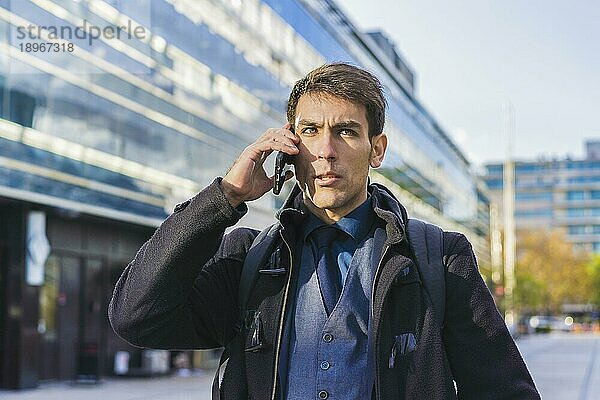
(335, 153)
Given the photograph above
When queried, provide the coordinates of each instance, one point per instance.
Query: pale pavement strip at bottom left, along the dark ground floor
(194, 387)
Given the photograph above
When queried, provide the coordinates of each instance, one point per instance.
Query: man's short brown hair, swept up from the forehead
(347, 82)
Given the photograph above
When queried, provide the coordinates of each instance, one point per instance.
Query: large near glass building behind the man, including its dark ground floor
(114, 111)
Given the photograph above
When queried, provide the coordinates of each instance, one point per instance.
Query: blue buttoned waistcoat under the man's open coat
(332, 357)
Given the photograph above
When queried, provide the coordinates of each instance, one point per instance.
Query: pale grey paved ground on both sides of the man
(564, 366)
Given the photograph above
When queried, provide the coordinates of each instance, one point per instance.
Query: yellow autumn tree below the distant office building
(550, 273)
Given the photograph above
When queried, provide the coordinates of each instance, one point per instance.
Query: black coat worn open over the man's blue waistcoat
(181, 292)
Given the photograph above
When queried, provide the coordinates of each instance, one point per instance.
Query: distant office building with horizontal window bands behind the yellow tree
(556, 194)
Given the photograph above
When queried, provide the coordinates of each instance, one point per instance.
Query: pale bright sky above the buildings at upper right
(471, 56)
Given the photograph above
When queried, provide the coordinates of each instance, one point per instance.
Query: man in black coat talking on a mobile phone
(340, 311)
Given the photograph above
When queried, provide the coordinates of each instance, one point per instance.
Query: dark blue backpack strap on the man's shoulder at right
(427, 243)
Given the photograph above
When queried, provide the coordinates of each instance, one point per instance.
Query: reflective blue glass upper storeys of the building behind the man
(142, 121)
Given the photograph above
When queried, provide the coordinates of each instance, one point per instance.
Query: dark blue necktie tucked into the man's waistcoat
(328, 271)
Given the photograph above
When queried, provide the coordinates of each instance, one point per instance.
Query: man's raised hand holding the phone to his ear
(247, 180)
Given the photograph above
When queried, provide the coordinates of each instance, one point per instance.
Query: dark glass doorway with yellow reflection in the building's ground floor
(72, 315)
